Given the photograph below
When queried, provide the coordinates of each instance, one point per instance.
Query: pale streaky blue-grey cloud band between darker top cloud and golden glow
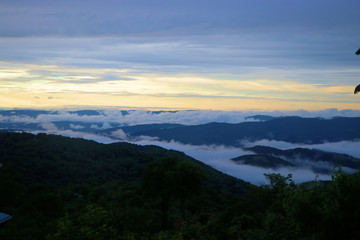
(235, 53)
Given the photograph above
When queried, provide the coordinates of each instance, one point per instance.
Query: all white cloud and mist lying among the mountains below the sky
(219, 157)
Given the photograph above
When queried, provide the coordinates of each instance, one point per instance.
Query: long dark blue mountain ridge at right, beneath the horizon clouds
(288, 129)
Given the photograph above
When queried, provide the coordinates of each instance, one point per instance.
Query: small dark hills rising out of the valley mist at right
(318, 161)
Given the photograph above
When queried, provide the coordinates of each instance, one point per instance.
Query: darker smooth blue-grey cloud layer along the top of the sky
(172, 17)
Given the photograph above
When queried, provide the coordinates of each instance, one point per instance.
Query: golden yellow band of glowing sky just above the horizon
(51, 86)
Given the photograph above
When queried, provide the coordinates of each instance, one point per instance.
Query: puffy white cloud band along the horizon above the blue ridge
(187, 117)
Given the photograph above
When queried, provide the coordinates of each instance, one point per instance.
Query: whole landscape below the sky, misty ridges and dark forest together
(136, 174)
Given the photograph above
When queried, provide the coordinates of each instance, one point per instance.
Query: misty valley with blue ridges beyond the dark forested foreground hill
(216, 137)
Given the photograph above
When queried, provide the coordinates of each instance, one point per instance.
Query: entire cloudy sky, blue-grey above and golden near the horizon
(230, 55)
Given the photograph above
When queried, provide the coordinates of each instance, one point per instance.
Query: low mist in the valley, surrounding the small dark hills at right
(219, 157)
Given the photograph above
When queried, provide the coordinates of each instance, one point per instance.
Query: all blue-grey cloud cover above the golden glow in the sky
(307, 41)
